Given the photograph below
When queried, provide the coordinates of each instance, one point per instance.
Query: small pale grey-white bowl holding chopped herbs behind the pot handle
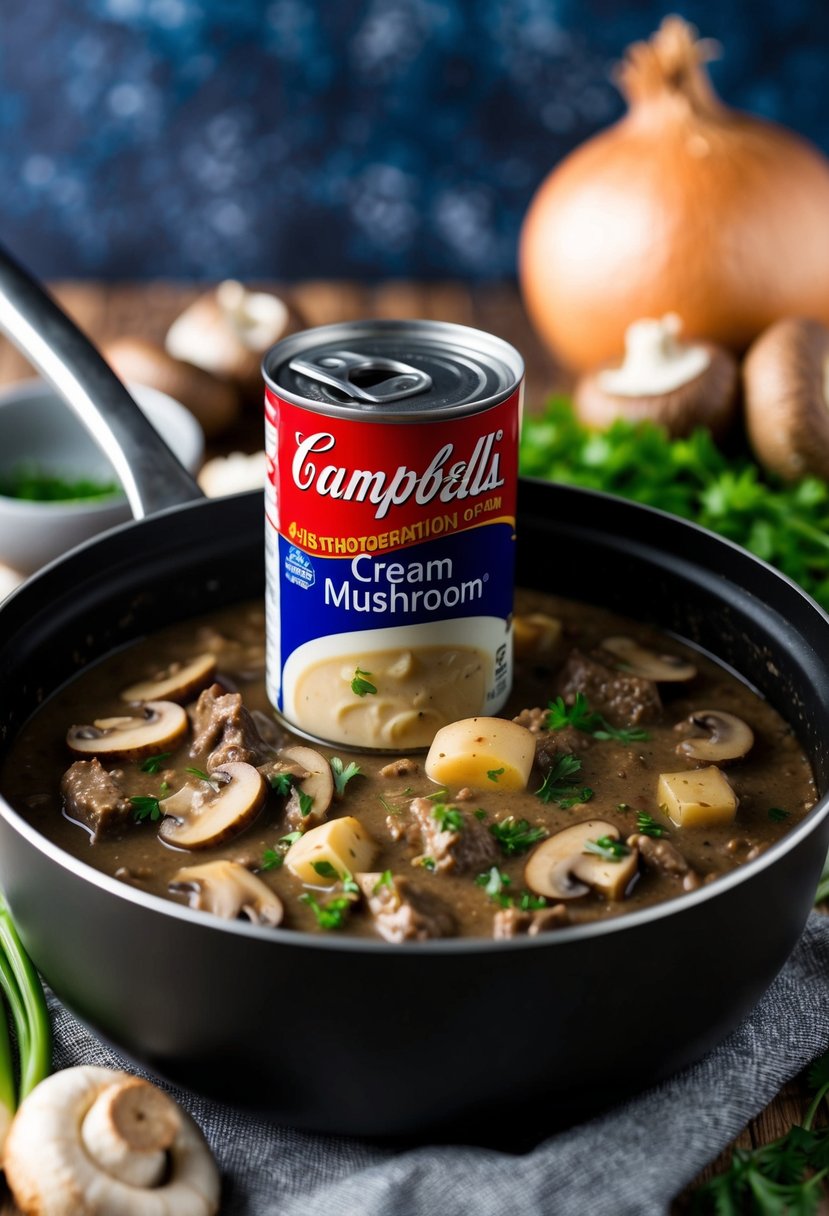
(38, 429)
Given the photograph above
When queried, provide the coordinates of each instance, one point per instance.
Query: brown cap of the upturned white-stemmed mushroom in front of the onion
(707, 401)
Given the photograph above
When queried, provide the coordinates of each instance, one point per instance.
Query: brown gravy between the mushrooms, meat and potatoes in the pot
(775, 775)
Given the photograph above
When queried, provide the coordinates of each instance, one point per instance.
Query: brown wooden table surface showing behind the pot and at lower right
(109, 311)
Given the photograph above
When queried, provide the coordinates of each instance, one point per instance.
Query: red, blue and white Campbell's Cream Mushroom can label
(391, 564)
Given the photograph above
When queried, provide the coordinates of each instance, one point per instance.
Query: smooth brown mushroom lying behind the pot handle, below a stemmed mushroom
(215, 403)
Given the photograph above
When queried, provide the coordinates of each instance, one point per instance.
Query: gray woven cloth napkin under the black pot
(630, 1162)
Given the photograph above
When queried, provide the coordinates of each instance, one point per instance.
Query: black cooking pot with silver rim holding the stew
(360, 1037)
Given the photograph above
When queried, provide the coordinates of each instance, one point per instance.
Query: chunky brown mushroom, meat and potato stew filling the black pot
(629, 770)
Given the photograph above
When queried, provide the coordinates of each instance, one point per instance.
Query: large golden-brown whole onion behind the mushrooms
(684, 206)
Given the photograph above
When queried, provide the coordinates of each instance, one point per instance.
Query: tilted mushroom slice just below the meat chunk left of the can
(215, 812)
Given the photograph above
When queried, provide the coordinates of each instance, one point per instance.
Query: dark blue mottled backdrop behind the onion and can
(332, 138)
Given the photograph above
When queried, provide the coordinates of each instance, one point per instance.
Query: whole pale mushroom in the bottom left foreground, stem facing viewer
(98, 1141)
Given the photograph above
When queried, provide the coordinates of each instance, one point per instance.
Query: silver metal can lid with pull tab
(393, 370)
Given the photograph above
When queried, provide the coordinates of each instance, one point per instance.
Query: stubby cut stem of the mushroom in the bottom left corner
(128, 1130)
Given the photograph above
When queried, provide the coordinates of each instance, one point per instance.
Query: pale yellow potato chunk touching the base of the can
(490, 753)
